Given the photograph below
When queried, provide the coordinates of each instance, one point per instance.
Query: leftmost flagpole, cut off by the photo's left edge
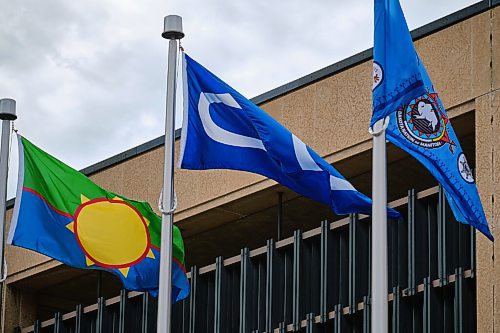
(7, 114)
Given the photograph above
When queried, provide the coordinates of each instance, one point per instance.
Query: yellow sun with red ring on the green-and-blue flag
(111, 233)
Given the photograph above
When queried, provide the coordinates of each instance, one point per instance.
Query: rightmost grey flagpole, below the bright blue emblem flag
(379, 306)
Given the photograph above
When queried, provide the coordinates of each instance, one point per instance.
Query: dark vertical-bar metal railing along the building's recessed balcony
(316, 281)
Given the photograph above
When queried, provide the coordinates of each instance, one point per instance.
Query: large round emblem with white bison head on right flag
(423, 123)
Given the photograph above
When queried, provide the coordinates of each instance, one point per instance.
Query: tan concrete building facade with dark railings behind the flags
(265, 259)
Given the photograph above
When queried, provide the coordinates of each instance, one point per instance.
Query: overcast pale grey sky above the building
(89, 76)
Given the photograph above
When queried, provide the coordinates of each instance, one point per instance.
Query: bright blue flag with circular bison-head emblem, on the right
(418, 122)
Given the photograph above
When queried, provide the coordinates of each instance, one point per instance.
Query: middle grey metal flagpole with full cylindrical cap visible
(173, 32)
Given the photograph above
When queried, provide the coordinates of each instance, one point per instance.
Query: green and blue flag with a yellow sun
(61, 213)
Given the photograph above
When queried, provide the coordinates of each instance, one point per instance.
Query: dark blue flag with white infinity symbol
(224, 130)
